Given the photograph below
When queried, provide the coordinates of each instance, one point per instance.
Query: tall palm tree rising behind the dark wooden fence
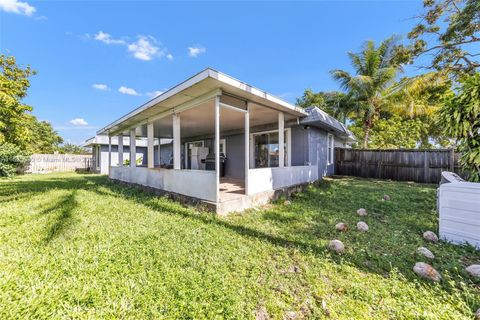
(375, 71)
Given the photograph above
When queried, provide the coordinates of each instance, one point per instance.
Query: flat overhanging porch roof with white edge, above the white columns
(201, 83)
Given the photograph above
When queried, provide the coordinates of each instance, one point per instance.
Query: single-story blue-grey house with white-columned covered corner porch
(233, 146)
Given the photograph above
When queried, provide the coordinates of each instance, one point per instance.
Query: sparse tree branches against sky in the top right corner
(446, 32)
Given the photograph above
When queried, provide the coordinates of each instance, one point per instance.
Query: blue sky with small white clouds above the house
(97, 60)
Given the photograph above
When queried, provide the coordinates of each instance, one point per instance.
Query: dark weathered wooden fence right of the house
(396, 164)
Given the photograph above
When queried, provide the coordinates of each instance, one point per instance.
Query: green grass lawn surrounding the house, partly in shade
(80, 246)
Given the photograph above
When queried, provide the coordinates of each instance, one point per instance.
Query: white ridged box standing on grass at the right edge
(459, 210)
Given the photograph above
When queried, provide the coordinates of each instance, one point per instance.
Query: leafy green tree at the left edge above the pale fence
(17, 124)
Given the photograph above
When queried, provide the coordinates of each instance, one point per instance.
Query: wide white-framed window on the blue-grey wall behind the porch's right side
(266, 149)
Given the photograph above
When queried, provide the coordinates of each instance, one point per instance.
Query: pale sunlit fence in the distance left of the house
(43, 163)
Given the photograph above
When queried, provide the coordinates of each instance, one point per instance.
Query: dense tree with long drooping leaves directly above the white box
(460, 118)
